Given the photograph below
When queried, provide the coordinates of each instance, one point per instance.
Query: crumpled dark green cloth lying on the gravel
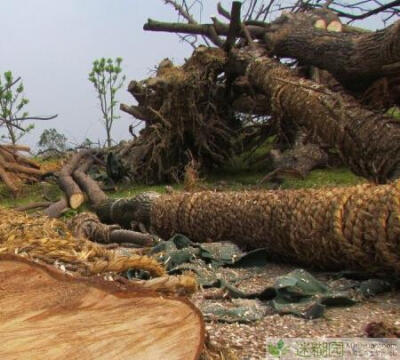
(297, 293)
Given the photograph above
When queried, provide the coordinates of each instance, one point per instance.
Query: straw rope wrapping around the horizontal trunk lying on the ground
(336, 228)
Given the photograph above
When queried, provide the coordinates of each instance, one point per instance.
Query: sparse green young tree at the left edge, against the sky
(12, 103)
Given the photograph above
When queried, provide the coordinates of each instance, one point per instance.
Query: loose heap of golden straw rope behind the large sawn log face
(50, 241)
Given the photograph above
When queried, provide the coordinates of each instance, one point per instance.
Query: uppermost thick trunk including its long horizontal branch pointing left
(355, 59)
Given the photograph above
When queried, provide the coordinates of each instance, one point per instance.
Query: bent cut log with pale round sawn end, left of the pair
(73, 192)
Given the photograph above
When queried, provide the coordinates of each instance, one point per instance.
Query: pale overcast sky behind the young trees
(51, 44)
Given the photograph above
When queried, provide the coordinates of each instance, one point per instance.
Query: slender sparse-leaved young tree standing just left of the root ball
(107, 80)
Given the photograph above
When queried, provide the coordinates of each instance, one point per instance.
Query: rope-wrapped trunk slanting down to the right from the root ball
(366, 141)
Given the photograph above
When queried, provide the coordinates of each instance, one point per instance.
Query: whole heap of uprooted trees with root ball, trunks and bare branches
(229, 100)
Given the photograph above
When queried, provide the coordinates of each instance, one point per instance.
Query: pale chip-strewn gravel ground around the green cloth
(248, 340)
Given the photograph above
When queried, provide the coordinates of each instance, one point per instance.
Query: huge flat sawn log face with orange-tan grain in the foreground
(47, 314)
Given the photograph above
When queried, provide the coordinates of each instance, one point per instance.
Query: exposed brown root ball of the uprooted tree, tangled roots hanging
(183, 119)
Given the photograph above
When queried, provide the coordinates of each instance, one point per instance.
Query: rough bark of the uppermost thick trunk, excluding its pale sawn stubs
(354, 59)
